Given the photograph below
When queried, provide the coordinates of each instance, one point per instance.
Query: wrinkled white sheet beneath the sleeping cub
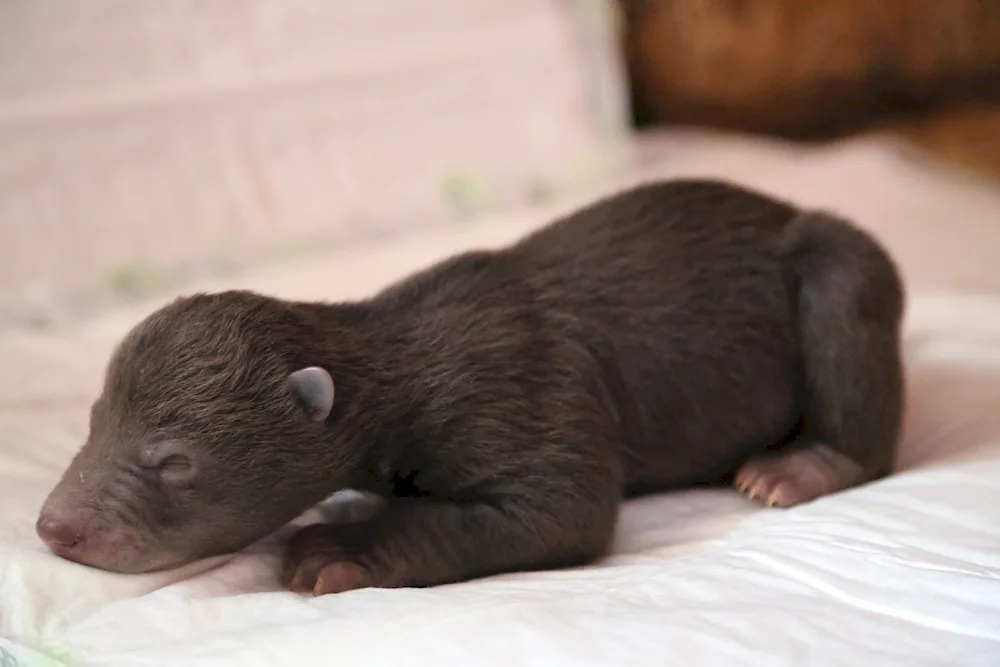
(905, 571)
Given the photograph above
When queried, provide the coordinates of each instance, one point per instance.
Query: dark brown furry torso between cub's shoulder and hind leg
(681, 293)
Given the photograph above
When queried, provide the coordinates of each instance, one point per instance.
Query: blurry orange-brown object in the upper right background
(823, 68)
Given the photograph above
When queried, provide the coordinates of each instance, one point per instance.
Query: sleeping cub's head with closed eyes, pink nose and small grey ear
(209, 433)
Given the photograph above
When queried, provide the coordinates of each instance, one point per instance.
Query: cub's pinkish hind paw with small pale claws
(789, 478)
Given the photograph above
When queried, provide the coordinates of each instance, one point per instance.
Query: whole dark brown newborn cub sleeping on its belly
(501, 402)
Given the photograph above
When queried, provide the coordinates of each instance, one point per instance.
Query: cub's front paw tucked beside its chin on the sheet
(318, 560)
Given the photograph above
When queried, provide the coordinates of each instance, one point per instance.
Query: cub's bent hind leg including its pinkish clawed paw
(850, 308)
